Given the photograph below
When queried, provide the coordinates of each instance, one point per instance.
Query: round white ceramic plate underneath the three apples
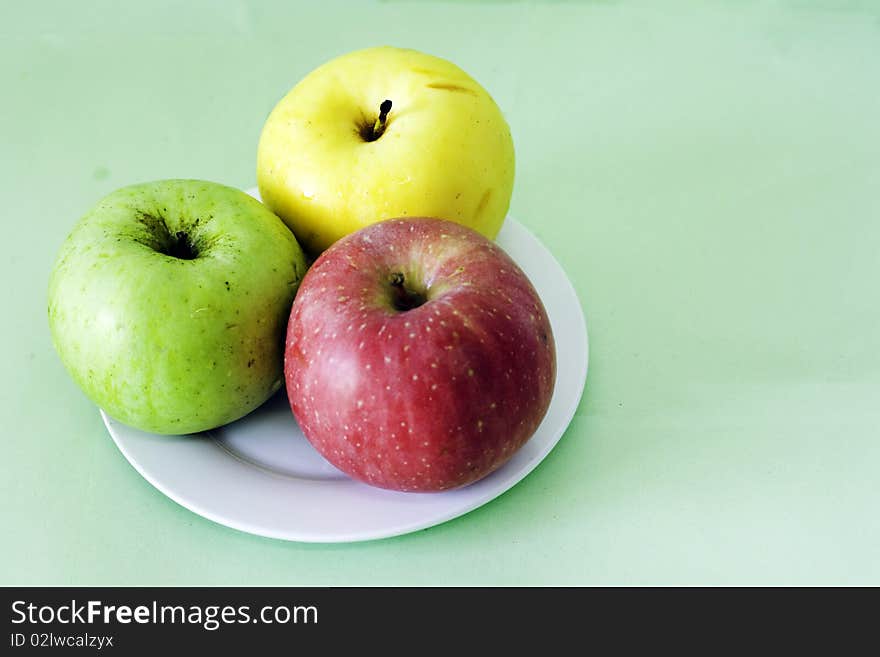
(260, 475)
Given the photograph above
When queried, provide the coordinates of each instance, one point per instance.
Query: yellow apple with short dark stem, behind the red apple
(330, 161)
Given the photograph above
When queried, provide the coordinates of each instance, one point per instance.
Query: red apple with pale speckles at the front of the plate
(419, 356)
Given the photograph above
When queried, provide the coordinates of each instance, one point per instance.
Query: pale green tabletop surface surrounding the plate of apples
(709, 177)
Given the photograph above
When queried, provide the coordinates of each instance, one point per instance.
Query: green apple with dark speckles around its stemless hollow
(169, 301)
